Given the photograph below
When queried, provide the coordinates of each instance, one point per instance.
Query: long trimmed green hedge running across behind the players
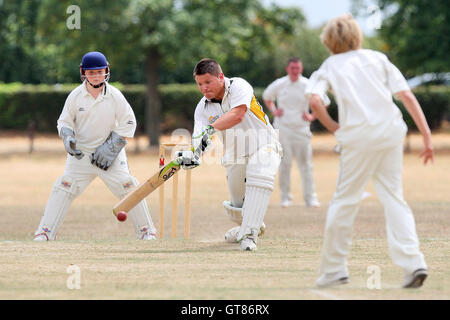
(22, 106)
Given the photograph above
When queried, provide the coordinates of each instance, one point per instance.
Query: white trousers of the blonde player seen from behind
(356, 168)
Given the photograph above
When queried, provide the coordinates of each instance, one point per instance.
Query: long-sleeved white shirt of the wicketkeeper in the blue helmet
(92, 120)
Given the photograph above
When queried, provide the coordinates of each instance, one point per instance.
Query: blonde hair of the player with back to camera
(342, 34)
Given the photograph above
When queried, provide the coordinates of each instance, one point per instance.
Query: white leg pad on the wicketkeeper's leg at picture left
(63, 193)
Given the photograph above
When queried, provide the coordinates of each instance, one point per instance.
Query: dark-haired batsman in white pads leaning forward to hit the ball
(251, 150)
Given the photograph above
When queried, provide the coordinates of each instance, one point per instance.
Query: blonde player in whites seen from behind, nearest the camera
(371, 132)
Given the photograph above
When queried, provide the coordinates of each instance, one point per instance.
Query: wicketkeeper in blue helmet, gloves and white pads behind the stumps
(94, 125)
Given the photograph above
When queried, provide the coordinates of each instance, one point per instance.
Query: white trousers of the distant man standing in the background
(296, 143)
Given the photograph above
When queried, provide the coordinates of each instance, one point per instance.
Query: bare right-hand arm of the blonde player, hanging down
(413, 107)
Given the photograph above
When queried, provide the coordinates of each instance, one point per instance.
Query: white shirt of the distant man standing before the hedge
(289, 96)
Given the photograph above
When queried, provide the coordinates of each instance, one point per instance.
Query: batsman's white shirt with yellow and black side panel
(245, 138)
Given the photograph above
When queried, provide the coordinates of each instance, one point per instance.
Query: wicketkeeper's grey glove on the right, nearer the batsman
(105, 155)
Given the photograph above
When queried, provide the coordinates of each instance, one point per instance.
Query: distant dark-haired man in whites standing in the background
(292, 118)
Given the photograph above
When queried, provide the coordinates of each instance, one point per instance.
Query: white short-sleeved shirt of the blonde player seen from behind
(362, 82)
